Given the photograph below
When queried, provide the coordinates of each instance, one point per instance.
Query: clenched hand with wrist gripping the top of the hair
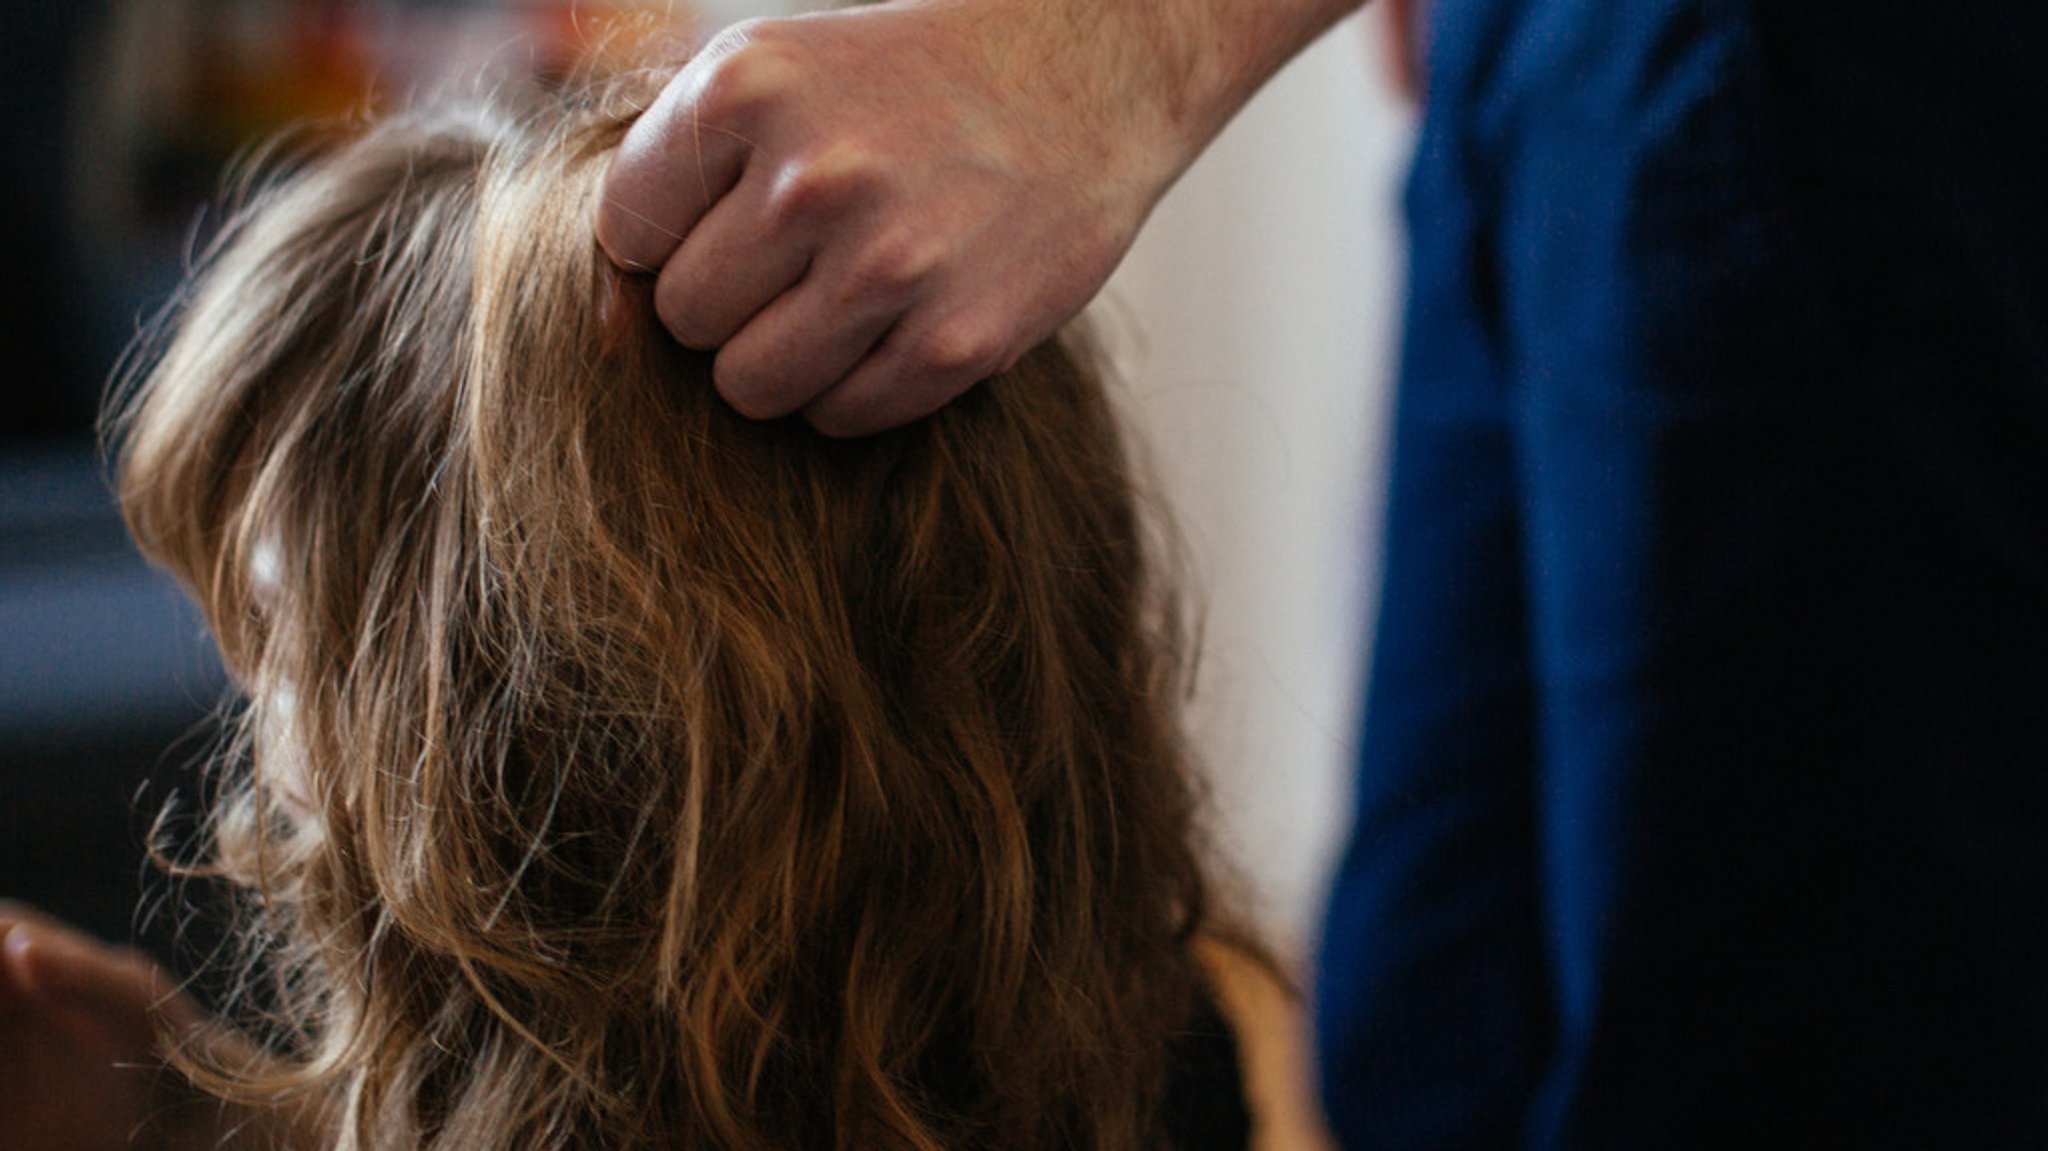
(867, 212)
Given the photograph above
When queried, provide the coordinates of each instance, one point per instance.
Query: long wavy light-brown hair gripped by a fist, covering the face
(617, 773)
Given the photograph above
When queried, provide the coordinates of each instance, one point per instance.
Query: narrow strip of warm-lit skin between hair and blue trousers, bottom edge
(1273, 1039)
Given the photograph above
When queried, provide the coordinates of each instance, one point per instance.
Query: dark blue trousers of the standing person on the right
(1703, 798)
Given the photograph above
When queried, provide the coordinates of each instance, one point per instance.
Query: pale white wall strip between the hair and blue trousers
(1256, 325)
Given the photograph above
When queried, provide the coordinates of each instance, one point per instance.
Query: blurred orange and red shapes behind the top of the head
(183, 85)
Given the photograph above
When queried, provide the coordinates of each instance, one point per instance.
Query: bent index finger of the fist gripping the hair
(675, 163)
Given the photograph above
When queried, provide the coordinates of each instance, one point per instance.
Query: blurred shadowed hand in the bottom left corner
(81, 1064)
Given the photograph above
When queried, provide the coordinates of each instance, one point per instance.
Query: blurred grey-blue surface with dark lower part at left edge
(108, 683)
